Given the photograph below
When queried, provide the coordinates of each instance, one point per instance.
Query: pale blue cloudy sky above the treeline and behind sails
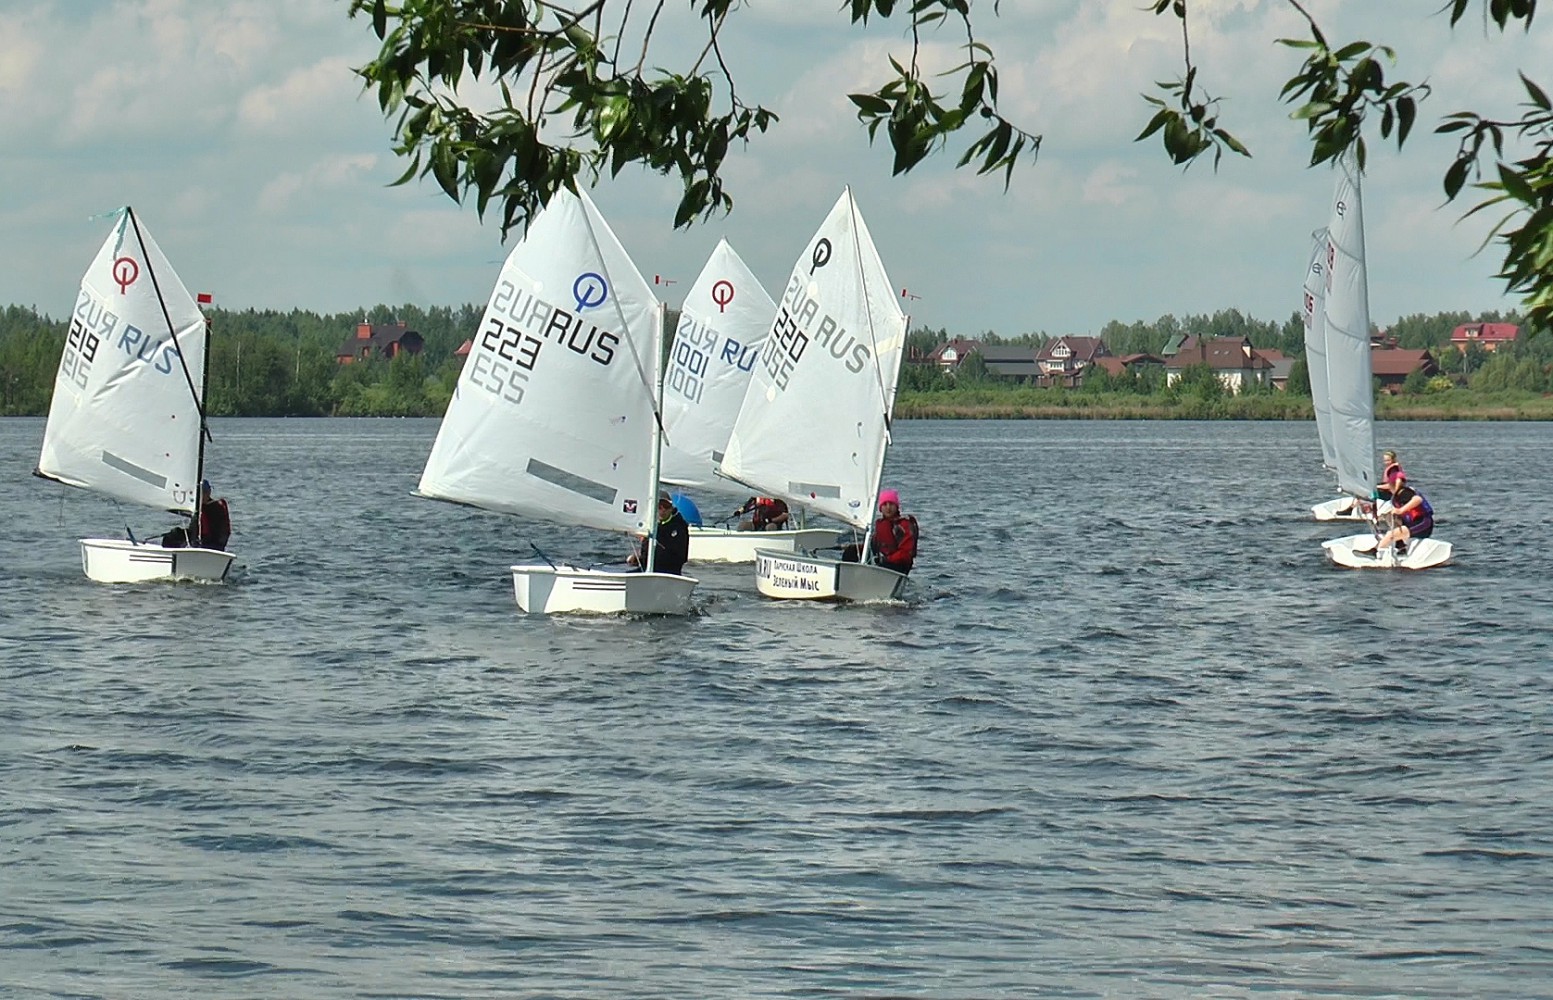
(248, 147)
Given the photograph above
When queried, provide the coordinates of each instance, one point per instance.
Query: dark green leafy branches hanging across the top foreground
(580, 71)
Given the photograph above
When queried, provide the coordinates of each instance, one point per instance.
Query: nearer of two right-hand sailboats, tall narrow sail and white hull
(1349, 378)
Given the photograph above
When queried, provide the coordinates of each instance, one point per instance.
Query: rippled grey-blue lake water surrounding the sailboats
(1131, 737)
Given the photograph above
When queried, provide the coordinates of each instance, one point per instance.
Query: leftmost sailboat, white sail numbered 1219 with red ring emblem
(128, 415)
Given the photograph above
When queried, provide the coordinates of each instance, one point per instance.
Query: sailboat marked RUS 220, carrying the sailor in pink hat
(815, 428)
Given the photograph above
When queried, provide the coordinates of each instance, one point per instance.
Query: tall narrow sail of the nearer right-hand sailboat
(1349, 338)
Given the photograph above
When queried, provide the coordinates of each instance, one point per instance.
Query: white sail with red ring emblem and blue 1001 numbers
(721, 330)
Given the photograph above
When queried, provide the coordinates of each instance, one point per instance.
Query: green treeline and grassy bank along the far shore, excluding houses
(266, 363)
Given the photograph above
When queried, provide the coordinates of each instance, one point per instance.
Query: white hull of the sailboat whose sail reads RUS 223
(565, 591)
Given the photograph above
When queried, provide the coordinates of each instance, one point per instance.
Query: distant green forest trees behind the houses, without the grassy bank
(283, 364)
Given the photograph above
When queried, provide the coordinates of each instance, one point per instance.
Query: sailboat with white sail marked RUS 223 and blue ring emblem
(557, 414)
